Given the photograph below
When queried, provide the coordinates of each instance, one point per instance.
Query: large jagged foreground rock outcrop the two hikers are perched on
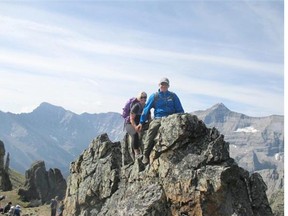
(190, 173)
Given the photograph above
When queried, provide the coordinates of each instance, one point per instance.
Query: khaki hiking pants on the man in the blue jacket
(151, 134)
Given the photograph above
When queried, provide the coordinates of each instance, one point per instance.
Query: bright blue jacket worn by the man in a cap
(167, 103)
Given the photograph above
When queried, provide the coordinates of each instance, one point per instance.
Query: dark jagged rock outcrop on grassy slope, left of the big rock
(41, 185)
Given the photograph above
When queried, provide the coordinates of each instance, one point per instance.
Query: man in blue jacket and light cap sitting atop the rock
(164, 103)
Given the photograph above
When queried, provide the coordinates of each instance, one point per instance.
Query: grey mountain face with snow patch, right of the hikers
(256, 143)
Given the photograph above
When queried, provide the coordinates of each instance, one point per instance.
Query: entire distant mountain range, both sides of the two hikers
(58, 136)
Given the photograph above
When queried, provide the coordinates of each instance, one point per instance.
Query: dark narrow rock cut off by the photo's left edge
(5, 182)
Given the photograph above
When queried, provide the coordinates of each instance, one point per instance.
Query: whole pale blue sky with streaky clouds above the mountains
(91, 56)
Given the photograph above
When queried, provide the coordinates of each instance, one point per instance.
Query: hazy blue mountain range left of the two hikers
(53, 134)
